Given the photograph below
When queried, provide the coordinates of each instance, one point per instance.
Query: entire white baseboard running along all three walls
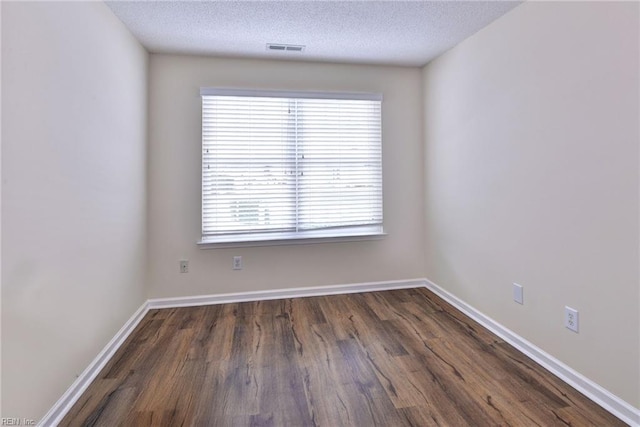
(618, 407)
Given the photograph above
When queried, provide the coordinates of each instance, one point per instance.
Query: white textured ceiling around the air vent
(378, 32)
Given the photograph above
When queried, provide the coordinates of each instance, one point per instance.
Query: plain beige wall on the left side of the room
(73, 193)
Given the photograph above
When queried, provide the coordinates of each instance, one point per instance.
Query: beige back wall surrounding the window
(174, 180)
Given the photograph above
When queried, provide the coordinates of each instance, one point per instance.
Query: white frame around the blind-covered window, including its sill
(253, 238)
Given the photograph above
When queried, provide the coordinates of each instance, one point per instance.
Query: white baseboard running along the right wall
(612, 403)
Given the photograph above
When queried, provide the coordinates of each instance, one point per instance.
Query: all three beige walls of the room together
(530, 175)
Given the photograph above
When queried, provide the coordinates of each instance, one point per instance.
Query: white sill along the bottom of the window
(279, 239)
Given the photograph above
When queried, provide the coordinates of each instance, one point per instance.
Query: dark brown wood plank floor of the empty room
(390, 358)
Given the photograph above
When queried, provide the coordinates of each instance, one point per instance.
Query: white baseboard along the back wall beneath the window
(284, 293)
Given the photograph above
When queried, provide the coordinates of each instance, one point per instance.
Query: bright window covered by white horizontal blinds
(290, 165)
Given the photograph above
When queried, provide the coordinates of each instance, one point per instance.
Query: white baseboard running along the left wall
(73, 393)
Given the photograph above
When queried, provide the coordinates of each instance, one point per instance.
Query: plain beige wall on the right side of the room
(531, 175)
